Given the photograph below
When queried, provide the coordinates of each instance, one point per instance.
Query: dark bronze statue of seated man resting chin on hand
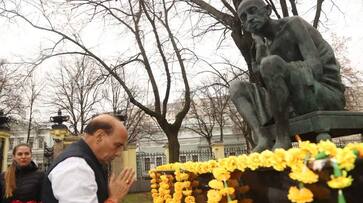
(298, 70)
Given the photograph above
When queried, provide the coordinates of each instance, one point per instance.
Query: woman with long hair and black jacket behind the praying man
(22, 181)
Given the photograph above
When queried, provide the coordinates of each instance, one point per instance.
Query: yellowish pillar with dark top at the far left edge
(4, 140)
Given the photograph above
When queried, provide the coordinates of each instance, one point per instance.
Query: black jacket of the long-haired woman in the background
(28, 184)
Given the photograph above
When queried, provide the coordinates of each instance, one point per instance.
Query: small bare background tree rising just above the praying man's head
(76, 90)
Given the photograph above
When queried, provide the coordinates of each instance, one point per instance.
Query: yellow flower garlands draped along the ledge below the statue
(302, 163)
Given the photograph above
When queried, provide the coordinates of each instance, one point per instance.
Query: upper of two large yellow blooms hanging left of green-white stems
(303, 174)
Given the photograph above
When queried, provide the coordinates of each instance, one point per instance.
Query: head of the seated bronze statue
(253, 14)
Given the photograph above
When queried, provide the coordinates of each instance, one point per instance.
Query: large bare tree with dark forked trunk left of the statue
(145, 22)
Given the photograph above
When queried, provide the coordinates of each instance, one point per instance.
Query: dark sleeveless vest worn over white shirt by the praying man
(78, 149)
